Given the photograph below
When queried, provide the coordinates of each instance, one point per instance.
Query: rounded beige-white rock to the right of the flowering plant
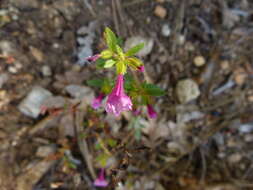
(187, 90)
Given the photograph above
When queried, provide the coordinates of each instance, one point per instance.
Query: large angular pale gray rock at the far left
(31, 105)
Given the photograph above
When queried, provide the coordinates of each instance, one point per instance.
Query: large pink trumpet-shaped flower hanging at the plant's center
(118, 101)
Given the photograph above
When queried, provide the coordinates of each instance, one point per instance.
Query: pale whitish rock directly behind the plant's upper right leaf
(133, 41)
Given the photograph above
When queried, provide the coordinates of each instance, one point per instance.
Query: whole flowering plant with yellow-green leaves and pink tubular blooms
(121, 96)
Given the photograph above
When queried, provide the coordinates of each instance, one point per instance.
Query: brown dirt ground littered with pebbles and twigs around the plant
(202, 144)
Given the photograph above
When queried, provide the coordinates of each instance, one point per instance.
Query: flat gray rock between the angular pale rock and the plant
(80, 92)
